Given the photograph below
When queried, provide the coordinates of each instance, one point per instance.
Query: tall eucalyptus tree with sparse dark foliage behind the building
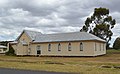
(100, 24)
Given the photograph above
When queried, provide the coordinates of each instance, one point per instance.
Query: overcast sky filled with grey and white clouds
(51, 16)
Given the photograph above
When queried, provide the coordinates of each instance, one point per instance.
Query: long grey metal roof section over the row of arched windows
(72, 36)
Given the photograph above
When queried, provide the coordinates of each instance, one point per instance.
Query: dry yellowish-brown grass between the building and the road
(82, 65)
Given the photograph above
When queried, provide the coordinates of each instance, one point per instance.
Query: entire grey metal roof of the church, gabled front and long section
(38, 37)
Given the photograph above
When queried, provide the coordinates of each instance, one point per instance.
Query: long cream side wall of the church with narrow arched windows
(88, 49)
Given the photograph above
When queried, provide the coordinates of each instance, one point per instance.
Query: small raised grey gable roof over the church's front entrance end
(31, 34)
